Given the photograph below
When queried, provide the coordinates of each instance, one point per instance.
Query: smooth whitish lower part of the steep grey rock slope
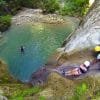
(83, 40)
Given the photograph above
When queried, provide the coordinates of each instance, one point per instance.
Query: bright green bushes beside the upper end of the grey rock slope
(75, 7)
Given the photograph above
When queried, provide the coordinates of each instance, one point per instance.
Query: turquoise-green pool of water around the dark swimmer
(40, 41)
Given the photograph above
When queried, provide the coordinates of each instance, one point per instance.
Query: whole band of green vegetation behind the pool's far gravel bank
(71, 7)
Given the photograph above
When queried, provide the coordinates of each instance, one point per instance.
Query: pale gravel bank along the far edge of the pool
(35, 15)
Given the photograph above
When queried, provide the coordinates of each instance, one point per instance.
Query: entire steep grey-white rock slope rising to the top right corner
(88, 35)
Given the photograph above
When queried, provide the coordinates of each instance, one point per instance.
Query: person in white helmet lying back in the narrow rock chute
(83, 68)
